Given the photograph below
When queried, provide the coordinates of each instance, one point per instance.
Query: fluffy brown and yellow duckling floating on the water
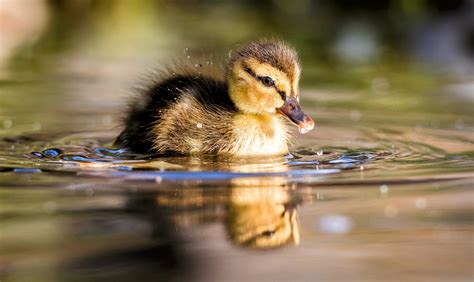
(187, 112)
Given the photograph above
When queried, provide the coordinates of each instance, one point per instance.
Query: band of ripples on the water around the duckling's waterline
(384, 158)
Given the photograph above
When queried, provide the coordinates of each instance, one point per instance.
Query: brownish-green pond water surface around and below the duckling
(380, 190)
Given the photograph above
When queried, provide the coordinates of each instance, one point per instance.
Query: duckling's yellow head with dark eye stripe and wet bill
(263, 77)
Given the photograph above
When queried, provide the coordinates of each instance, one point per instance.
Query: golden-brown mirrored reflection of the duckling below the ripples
(256, 217)
